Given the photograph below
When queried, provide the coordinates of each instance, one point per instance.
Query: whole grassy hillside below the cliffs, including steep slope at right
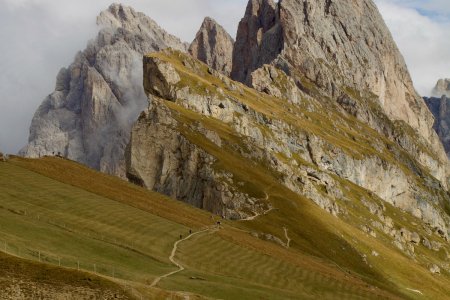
(63, 213)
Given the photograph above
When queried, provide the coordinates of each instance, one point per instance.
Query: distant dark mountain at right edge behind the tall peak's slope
(438, 105)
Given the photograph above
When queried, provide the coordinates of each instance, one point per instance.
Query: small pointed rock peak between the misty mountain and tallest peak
(213, 46)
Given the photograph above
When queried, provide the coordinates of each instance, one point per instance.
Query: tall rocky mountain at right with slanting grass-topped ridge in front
(348, 130)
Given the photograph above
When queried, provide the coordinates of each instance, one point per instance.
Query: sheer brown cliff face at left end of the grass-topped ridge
(161, 158)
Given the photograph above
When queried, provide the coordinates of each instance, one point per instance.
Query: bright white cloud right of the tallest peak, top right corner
(423, 40)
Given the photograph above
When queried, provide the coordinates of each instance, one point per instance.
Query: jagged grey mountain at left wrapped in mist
(88, 117)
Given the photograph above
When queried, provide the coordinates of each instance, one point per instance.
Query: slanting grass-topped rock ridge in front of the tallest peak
(315, 151)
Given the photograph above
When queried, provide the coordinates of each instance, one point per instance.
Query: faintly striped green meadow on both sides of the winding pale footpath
(232, 262)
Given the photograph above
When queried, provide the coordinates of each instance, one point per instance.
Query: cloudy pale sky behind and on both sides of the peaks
(38, 37)
